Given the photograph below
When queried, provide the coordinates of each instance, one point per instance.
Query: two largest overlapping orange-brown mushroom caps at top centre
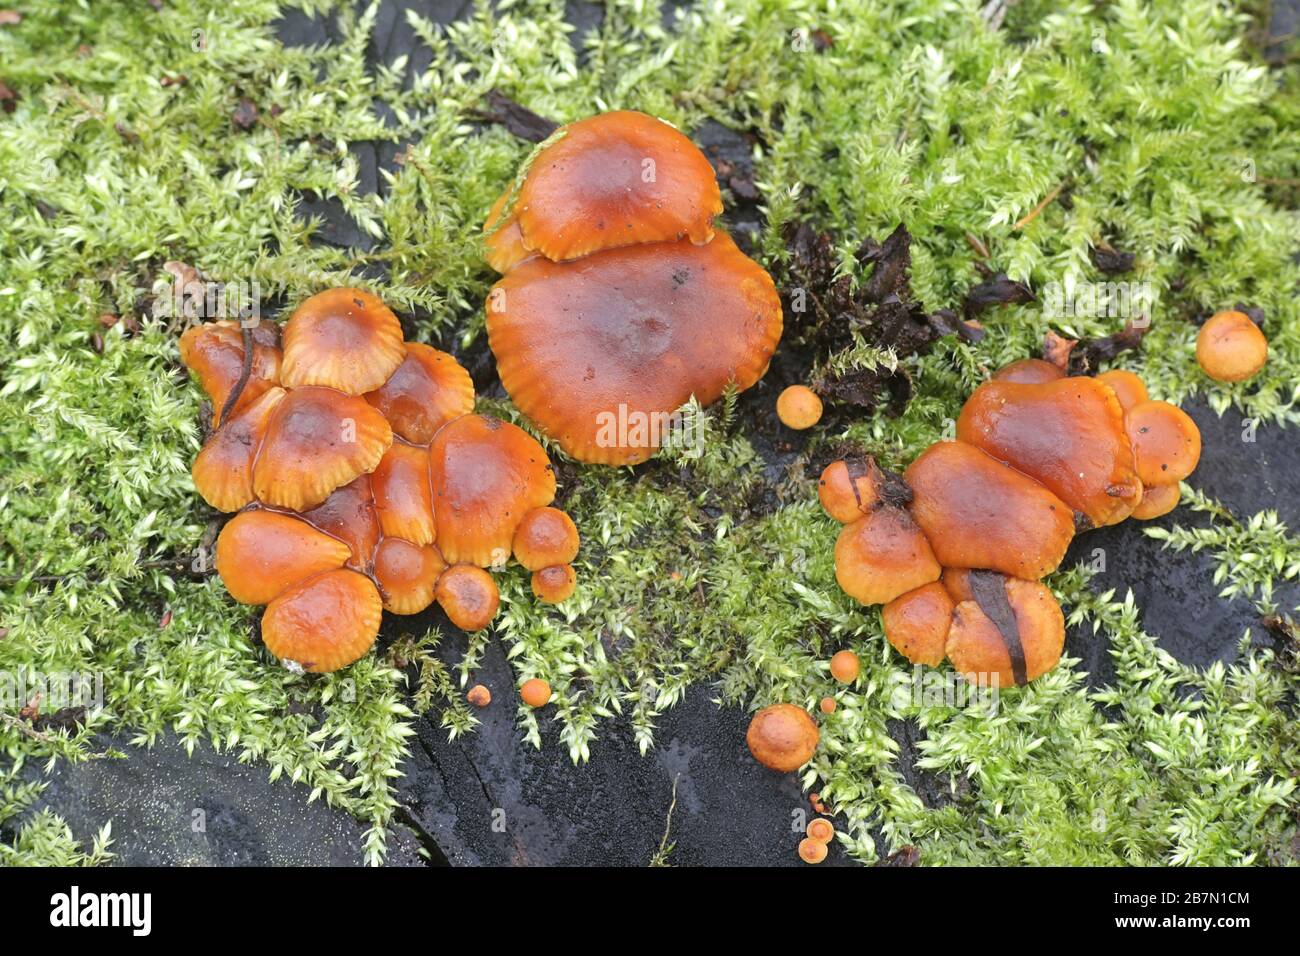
(619, 300)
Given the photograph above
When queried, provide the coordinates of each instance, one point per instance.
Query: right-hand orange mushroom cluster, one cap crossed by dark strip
(955, 550)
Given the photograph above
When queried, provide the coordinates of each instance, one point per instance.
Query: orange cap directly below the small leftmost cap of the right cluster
(882, 556)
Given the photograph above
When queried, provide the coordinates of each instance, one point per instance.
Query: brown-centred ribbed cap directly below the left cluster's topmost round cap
(318, 440)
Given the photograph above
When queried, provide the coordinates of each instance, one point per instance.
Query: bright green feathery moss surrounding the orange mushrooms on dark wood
(1171, 139)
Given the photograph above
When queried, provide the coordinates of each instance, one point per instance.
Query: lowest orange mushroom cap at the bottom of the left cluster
(326, 622)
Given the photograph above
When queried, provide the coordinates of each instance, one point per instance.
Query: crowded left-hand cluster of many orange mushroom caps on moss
(363, 482)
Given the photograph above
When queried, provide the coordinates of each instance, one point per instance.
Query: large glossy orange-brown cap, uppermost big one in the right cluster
(1069, 435)
